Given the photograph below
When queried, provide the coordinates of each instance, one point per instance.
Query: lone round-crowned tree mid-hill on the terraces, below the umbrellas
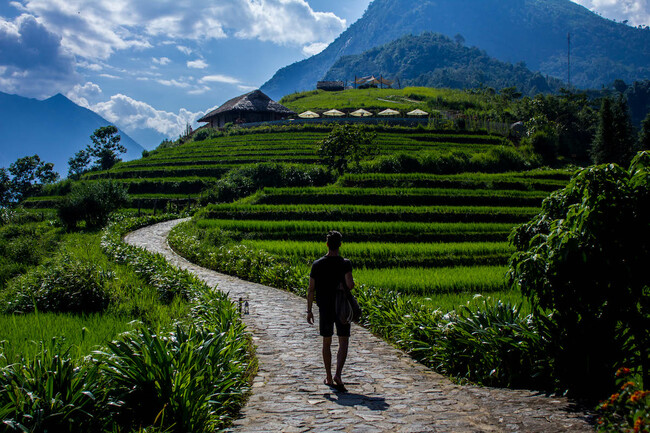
(345, 144)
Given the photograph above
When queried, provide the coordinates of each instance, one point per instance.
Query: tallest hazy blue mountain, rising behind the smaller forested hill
(532, 31)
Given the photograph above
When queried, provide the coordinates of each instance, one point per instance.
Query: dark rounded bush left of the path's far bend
(92, 202)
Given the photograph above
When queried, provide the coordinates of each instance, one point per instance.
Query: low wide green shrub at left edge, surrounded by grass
(64, 285)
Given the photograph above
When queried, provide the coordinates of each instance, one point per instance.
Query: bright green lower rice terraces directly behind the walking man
(424, 235)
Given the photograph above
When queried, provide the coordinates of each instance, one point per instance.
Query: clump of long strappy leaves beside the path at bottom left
(186, 380)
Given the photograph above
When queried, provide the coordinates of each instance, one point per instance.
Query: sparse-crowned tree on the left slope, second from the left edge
(102, 153)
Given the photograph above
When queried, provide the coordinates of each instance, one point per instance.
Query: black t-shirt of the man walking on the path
(328, 272)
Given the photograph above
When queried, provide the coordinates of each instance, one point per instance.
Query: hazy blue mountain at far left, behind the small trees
(54, 129)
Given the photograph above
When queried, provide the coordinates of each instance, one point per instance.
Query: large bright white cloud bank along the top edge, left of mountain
(97, 28)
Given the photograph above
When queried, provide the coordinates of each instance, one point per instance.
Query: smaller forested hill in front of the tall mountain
(434, 60)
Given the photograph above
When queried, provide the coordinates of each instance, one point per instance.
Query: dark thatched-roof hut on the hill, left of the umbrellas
(251, 107)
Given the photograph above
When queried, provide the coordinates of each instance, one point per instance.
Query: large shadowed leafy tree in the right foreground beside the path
(584, 258)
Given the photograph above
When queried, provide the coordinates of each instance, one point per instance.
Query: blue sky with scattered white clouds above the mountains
(152, 66)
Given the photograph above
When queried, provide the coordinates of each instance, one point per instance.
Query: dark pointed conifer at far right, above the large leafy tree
(614, 140)
